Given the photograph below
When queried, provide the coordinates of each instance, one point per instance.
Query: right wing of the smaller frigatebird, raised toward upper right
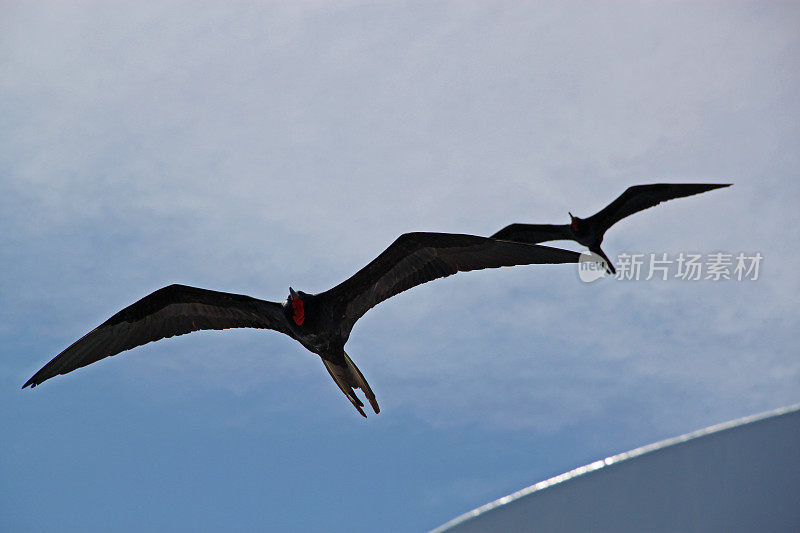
(641, 197)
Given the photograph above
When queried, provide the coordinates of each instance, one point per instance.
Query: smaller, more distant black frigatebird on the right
(590, 231)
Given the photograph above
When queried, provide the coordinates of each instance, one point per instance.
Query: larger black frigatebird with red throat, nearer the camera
(320, 322)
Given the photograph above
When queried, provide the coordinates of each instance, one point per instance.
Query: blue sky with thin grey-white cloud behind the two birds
(247, 147)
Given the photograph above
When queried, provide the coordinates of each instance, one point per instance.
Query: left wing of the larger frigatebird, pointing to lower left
(173, 310)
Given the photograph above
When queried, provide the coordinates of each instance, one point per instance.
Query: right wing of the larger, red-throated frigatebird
(416, 258)
